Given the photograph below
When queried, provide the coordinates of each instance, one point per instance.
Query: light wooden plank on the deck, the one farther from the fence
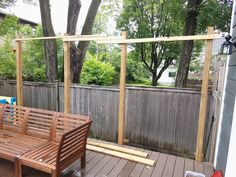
(122, 155)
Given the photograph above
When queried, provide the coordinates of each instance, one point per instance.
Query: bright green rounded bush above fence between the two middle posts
(97, 73)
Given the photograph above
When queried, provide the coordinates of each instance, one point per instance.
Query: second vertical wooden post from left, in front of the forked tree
(67, 77)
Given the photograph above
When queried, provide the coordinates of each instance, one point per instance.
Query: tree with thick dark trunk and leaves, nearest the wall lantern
(198, 16)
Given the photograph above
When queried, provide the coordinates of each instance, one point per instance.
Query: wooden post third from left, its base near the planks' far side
(122, 90)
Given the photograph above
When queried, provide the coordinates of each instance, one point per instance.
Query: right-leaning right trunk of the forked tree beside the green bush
(79, 54)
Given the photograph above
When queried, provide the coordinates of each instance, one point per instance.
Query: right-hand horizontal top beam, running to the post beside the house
(160, 39)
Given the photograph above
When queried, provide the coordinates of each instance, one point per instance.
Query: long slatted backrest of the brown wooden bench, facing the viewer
(37, 122)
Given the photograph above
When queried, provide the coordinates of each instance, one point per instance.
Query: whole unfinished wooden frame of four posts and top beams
(124, 42)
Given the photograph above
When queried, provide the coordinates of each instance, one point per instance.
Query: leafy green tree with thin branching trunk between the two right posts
(149, 18)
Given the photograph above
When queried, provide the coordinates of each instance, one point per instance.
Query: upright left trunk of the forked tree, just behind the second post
(72, 19)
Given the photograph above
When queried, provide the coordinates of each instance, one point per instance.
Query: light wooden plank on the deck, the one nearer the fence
(118, 148)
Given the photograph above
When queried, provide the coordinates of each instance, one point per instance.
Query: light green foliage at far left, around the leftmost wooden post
(33, 55)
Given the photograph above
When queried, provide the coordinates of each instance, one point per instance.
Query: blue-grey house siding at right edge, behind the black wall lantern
(228, 107)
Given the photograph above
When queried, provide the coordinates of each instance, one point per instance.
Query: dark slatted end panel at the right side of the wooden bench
(72, 145)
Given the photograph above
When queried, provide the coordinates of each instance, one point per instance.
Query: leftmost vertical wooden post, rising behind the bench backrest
(19, 86)
